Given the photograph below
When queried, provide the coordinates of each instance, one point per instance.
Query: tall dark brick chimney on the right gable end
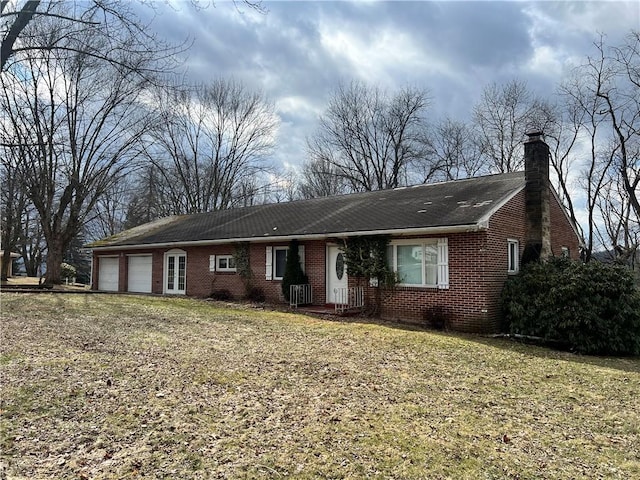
(536, 167)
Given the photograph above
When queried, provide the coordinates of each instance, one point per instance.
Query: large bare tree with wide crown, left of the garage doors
(77, 121)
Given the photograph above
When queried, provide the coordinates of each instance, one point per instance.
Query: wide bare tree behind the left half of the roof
(209, 139)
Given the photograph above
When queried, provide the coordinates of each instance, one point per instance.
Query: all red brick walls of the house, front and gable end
(477, 272)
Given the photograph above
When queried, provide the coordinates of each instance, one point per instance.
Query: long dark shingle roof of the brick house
(449, 204)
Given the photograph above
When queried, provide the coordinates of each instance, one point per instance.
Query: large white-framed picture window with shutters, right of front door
(420, 262)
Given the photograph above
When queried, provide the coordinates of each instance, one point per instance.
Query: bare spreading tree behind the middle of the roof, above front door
(370, 138)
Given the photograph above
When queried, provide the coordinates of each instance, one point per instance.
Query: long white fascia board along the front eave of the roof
(399, 232)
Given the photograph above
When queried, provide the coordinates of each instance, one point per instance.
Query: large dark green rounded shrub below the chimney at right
(592, 308)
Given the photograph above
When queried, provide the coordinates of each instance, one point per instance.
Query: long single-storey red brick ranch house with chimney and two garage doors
(453, 245)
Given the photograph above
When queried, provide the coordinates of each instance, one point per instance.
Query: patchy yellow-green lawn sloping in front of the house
(108, 386)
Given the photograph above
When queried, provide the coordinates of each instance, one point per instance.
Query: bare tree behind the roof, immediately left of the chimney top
(502, 117)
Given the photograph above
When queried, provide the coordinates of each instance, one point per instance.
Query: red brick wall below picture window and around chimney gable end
(477, 272)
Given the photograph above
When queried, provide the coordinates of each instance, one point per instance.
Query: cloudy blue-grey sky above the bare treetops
(299, 51)
